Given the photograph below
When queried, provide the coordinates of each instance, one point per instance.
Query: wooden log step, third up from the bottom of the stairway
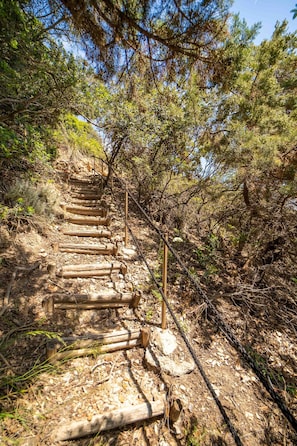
(107, 298)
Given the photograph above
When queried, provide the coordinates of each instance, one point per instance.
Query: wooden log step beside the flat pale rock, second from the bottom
(73, 347)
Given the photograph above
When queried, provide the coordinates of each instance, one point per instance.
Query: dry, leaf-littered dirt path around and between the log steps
(78, 389)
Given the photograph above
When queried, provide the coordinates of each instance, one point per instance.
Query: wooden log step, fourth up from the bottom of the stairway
(92, 270)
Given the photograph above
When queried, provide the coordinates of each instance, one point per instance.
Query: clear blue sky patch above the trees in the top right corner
(267, 12)
